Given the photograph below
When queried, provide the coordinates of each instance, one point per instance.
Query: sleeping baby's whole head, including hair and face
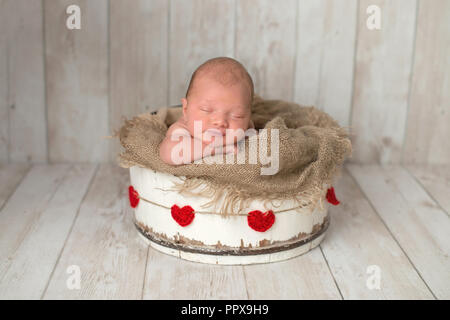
(220, 95)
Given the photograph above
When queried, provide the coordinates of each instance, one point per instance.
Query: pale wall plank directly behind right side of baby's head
(265, 44)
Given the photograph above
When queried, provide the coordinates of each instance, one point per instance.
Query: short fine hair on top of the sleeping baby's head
(226, 71)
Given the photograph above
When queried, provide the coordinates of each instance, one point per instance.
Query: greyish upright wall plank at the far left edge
(22, 111)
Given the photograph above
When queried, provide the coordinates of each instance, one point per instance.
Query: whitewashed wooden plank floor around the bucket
(388, 239)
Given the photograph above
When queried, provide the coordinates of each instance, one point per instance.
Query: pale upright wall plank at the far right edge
(428, 130)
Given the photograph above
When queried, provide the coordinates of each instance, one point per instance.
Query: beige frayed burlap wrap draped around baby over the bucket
(312, 149)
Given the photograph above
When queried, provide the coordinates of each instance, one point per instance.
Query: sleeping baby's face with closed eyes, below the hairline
(217, 106)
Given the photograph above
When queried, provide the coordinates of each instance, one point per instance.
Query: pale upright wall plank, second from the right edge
(382, 71)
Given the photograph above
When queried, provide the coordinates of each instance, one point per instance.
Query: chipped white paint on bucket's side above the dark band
(211, 228)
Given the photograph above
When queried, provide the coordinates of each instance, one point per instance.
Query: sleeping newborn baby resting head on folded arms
(216, 113)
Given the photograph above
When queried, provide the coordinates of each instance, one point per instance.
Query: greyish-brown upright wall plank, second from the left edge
(77, 82)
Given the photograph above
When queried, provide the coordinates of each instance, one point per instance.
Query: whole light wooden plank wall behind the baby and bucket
(62, 91)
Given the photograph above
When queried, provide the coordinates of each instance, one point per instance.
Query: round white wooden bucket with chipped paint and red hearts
(216, 239)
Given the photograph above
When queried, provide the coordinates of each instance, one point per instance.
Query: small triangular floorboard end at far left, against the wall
(10, 177)
